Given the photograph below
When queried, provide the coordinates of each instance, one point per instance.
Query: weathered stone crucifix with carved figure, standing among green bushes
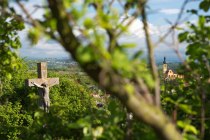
(43, 84)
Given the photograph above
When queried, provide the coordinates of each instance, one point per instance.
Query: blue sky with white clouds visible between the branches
(161, 13)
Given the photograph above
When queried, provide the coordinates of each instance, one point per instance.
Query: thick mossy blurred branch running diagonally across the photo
(114, 82)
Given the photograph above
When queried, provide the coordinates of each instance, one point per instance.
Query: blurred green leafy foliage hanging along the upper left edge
(10, 24)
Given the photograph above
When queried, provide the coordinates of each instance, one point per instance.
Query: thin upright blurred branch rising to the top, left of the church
(150, 48)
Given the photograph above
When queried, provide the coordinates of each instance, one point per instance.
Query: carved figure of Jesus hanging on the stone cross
(43, 91)
